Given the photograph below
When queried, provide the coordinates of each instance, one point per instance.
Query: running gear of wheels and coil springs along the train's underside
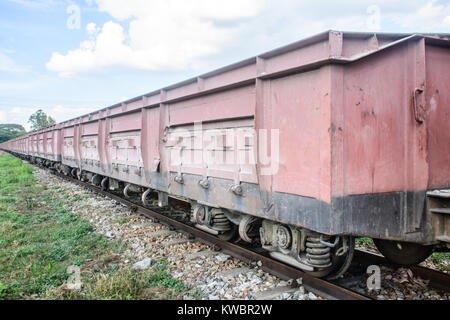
(317, 254)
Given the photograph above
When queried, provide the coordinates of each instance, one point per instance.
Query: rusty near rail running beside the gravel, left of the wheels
(320, 287)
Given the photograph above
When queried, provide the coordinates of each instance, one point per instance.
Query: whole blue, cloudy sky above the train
(69, 58)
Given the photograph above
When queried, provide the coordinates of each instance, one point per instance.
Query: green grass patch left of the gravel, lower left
(40, 238)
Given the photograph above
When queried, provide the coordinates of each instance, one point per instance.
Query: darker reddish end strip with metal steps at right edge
(437, 116)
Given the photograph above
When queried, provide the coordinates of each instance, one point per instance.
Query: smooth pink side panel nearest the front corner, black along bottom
(297, 189)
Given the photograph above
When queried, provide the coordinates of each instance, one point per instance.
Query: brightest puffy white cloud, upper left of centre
(162, 34)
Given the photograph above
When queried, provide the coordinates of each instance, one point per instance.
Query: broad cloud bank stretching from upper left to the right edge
(180, 34)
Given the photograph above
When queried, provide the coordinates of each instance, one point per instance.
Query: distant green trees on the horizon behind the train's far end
(38, 120)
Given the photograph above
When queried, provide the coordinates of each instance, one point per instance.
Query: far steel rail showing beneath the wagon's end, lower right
(438, 280)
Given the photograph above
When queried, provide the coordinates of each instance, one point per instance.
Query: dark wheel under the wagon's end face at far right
(403, 253)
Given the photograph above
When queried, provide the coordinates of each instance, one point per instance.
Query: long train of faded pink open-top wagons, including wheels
(297, 150)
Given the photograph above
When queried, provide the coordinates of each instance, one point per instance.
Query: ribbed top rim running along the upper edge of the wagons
(332, 51)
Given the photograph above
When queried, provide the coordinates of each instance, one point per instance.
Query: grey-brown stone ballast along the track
(214, 274)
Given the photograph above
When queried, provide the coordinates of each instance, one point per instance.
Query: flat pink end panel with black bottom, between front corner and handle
(379, 150)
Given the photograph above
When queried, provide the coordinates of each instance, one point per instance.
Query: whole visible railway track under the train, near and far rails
(343, 289)
